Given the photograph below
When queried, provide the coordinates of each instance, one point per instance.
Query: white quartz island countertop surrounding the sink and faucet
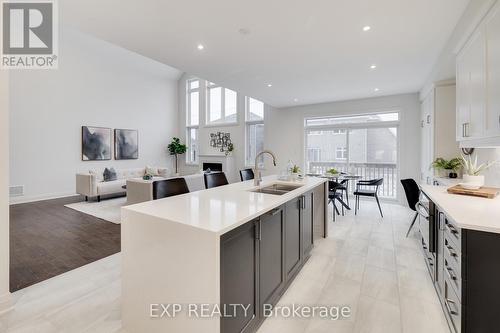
(223, 208)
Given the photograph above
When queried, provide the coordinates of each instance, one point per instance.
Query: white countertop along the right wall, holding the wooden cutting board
(467, 212)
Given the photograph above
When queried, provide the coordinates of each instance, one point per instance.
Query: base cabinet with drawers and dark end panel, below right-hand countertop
(466, 275)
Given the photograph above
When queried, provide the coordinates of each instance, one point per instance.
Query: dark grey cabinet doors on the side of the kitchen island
(260, 259)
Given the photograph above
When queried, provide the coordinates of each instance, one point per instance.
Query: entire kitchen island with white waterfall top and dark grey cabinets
(209, 261)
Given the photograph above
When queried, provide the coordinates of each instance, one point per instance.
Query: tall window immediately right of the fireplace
(254, 124)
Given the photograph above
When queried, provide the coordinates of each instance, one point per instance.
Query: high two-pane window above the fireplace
(221, 105)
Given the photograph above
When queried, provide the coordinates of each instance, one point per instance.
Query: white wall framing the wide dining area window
(284, 129)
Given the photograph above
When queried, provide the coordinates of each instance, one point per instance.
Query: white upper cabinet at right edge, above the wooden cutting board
(478, 85)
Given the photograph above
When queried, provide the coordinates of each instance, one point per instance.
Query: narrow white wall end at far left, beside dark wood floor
(4, 193)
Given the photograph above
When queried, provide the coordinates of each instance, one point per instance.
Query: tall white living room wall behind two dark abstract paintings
(97, 84)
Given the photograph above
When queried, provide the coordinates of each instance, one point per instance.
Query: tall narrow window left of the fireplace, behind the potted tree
(192, 120)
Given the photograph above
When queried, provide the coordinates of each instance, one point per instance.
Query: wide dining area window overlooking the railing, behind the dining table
(364, 145)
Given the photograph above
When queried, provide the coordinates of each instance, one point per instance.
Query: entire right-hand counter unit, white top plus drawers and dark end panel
(461, 245)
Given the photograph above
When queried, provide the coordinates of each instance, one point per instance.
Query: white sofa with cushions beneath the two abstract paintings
(91, 184)
